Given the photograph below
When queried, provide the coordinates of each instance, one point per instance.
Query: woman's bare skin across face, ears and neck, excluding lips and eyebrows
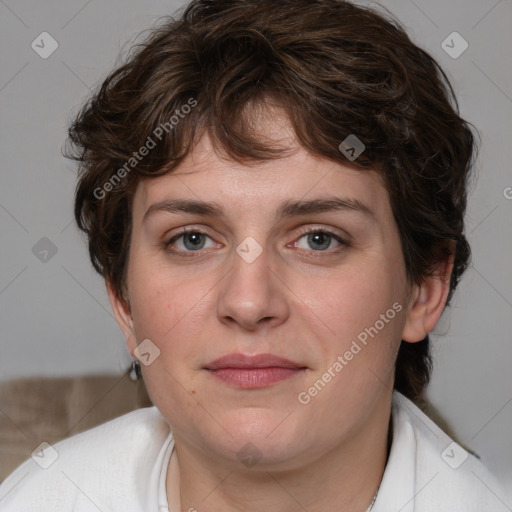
(329, 454)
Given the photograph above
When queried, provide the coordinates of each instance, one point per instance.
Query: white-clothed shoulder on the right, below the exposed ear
(440, 474)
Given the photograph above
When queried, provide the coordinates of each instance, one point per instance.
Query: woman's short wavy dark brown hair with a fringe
(337, 69)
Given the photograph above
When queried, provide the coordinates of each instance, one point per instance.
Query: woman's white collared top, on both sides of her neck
(122, 466)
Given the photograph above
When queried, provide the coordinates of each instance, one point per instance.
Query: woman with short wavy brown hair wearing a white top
(274, 193)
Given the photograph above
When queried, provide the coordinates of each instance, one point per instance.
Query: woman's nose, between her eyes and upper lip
(252, 295)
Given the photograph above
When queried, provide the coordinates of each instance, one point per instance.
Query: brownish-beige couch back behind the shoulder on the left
(50, 409)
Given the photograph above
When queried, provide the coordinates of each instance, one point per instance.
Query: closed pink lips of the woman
(251, 372)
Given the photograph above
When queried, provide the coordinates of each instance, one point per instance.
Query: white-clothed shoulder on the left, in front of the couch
(109, 463)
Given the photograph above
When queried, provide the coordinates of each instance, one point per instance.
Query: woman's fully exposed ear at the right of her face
(427, 301)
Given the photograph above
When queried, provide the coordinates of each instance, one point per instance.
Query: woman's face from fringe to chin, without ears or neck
(323, 288)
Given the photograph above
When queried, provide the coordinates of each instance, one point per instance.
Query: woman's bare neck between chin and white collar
(345, 477)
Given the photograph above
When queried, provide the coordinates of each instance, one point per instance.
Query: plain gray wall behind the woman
(55, 317)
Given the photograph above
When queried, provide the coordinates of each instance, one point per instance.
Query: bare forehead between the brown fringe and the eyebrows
(207, 174)
